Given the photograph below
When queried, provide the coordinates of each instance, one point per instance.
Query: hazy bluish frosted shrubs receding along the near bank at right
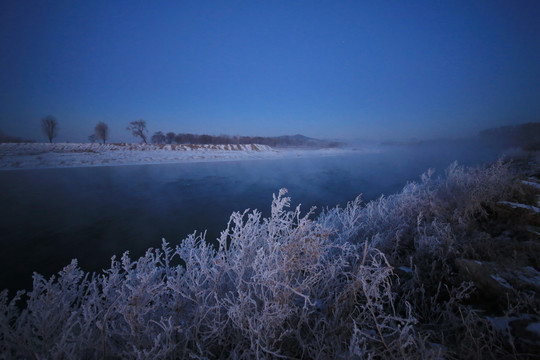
(432, 215)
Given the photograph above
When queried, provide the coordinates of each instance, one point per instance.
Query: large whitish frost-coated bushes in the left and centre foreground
(273, 288)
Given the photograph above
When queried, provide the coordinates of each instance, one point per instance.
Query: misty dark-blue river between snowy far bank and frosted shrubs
(50, 216)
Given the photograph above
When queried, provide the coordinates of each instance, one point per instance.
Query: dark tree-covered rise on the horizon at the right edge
(525, 136)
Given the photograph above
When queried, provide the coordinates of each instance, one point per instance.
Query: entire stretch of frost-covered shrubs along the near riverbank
(287, 286)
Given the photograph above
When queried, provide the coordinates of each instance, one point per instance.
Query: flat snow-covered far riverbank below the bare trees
(43, 155)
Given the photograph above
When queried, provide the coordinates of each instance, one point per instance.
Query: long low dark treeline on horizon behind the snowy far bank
(277, 141)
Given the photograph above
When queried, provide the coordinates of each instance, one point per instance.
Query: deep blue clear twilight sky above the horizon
(338, 69)
